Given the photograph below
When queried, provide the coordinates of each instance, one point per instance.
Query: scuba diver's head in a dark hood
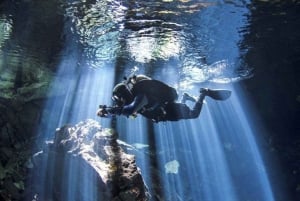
(121, 94)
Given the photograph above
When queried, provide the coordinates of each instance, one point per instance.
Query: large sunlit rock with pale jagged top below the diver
(85, 162)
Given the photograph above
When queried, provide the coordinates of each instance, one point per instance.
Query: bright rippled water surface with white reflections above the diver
(190, 33)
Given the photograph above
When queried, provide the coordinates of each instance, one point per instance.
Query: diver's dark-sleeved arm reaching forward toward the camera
(138, 103)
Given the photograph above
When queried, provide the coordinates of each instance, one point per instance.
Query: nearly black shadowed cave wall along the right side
(274, 53)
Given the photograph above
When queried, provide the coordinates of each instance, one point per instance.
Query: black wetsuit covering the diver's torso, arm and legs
(156, 100)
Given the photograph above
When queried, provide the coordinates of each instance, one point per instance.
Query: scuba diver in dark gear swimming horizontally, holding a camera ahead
(155, 100)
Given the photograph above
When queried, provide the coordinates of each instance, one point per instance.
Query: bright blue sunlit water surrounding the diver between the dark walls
(214, 157)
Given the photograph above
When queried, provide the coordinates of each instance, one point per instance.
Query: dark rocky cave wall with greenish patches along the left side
(25, 79)
